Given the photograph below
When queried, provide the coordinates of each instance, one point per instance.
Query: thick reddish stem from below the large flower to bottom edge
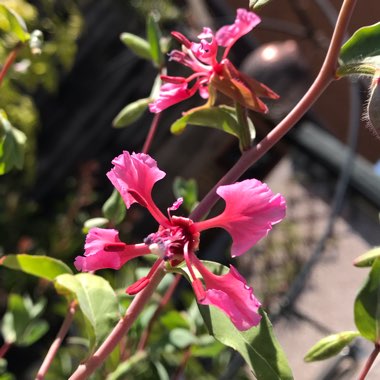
(86, 369)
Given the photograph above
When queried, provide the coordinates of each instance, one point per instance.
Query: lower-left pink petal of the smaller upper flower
(171, 93)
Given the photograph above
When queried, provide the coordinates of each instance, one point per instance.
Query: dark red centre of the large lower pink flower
(169, 243)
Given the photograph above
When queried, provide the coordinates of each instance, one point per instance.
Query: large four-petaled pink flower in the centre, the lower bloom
(250, 211)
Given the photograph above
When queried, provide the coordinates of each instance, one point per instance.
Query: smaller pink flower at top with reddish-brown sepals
(201, 58)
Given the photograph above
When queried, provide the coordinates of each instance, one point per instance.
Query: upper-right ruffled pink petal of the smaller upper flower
(244, 22)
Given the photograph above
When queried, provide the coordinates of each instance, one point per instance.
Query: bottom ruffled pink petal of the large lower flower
(231, 294)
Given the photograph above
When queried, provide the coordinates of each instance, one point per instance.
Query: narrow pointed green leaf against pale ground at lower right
(330, 346)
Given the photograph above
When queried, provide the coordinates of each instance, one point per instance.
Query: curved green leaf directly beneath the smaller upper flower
(222, 117)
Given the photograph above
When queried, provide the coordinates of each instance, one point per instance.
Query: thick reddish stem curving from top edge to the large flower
(326, 75)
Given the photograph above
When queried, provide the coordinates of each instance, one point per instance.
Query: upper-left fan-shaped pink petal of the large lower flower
(134, 176)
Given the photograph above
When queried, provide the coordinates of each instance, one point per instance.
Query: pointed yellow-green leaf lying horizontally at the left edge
(40, 266)
